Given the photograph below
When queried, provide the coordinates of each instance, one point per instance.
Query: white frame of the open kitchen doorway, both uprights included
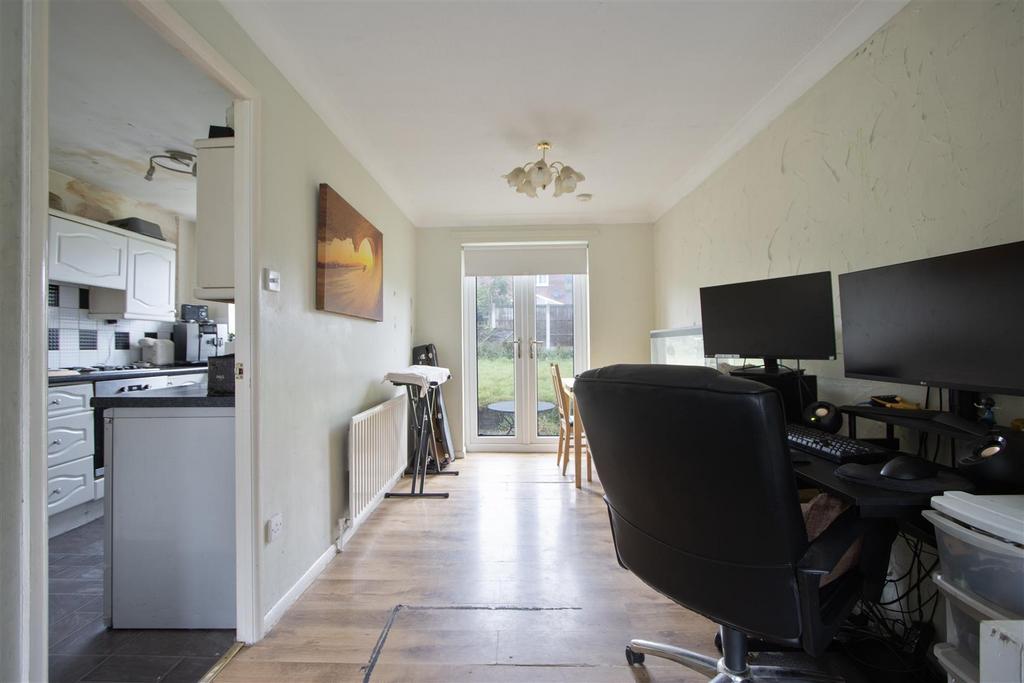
(25, 112)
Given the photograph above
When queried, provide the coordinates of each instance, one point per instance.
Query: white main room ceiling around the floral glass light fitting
(440, 100)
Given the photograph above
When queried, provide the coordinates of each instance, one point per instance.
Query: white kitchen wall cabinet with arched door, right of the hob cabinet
(151, 285)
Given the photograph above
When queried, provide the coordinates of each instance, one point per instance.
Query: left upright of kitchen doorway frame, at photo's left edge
(24, 143)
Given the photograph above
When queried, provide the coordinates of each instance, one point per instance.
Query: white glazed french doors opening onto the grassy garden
(515, 328)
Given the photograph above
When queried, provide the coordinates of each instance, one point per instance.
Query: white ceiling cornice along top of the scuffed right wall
(860, 25)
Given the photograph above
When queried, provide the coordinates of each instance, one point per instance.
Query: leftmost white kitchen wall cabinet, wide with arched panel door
(83, 252)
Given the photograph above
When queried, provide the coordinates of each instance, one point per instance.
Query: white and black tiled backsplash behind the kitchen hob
(76, 339)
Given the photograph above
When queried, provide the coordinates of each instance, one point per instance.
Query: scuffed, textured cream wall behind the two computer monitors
(911, 148)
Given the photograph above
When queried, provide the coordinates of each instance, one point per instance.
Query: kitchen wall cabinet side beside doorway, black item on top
(216, 220)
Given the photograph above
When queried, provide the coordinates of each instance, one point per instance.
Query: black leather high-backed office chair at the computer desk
(705, 510)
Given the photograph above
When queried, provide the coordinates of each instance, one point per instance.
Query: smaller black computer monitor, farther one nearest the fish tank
(782, 318)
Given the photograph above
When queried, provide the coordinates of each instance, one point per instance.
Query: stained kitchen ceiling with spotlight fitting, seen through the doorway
(119, 94)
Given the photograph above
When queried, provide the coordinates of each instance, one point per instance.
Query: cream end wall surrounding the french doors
(622, 300)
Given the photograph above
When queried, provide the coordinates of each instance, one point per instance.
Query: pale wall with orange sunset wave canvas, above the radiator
(316, 369)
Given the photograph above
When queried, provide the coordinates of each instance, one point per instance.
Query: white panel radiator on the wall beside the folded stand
(377, 459)
